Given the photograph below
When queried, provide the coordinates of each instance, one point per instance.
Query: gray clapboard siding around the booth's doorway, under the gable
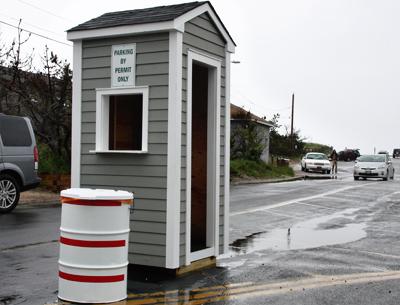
(201, 34)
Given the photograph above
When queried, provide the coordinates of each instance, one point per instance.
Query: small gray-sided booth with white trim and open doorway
(151, 116)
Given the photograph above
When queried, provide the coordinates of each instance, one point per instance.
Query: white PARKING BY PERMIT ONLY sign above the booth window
(123, 59)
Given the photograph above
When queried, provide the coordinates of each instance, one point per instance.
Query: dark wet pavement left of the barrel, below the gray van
(28, 255)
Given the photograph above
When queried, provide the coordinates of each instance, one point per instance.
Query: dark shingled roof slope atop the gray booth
(139, 16)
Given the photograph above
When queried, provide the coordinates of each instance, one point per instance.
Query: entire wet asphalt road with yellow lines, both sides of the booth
(342, 248)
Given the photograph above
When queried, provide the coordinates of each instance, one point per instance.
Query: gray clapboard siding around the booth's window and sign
(143, 174)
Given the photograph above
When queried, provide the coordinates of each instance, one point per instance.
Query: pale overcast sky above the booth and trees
(341, 58)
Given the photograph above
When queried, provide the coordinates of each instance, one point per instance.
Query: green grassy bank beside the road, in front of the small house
(258, 169)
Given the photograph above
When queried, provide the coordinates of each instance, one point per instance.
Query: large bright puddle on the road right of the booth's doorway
(337, 228)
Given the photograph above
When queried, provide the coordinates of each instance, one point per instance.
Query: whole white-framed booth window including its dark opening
(122, 120)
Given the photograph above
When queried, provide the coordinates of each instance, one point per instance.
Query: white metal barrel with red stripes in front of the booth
(94, 245)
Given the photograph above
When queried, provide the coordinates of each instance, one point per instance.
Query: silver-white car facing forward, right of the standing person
(373, 166)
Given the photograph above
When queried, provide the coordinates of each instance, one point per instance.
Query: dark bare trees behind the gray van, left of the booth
(42, 93)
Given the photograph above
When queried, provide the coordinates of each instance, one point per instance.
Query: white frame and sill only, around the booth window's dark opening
(102, 117)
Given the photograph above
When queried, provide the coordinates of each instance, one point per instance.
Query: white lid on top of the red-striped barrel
(96, 194)
